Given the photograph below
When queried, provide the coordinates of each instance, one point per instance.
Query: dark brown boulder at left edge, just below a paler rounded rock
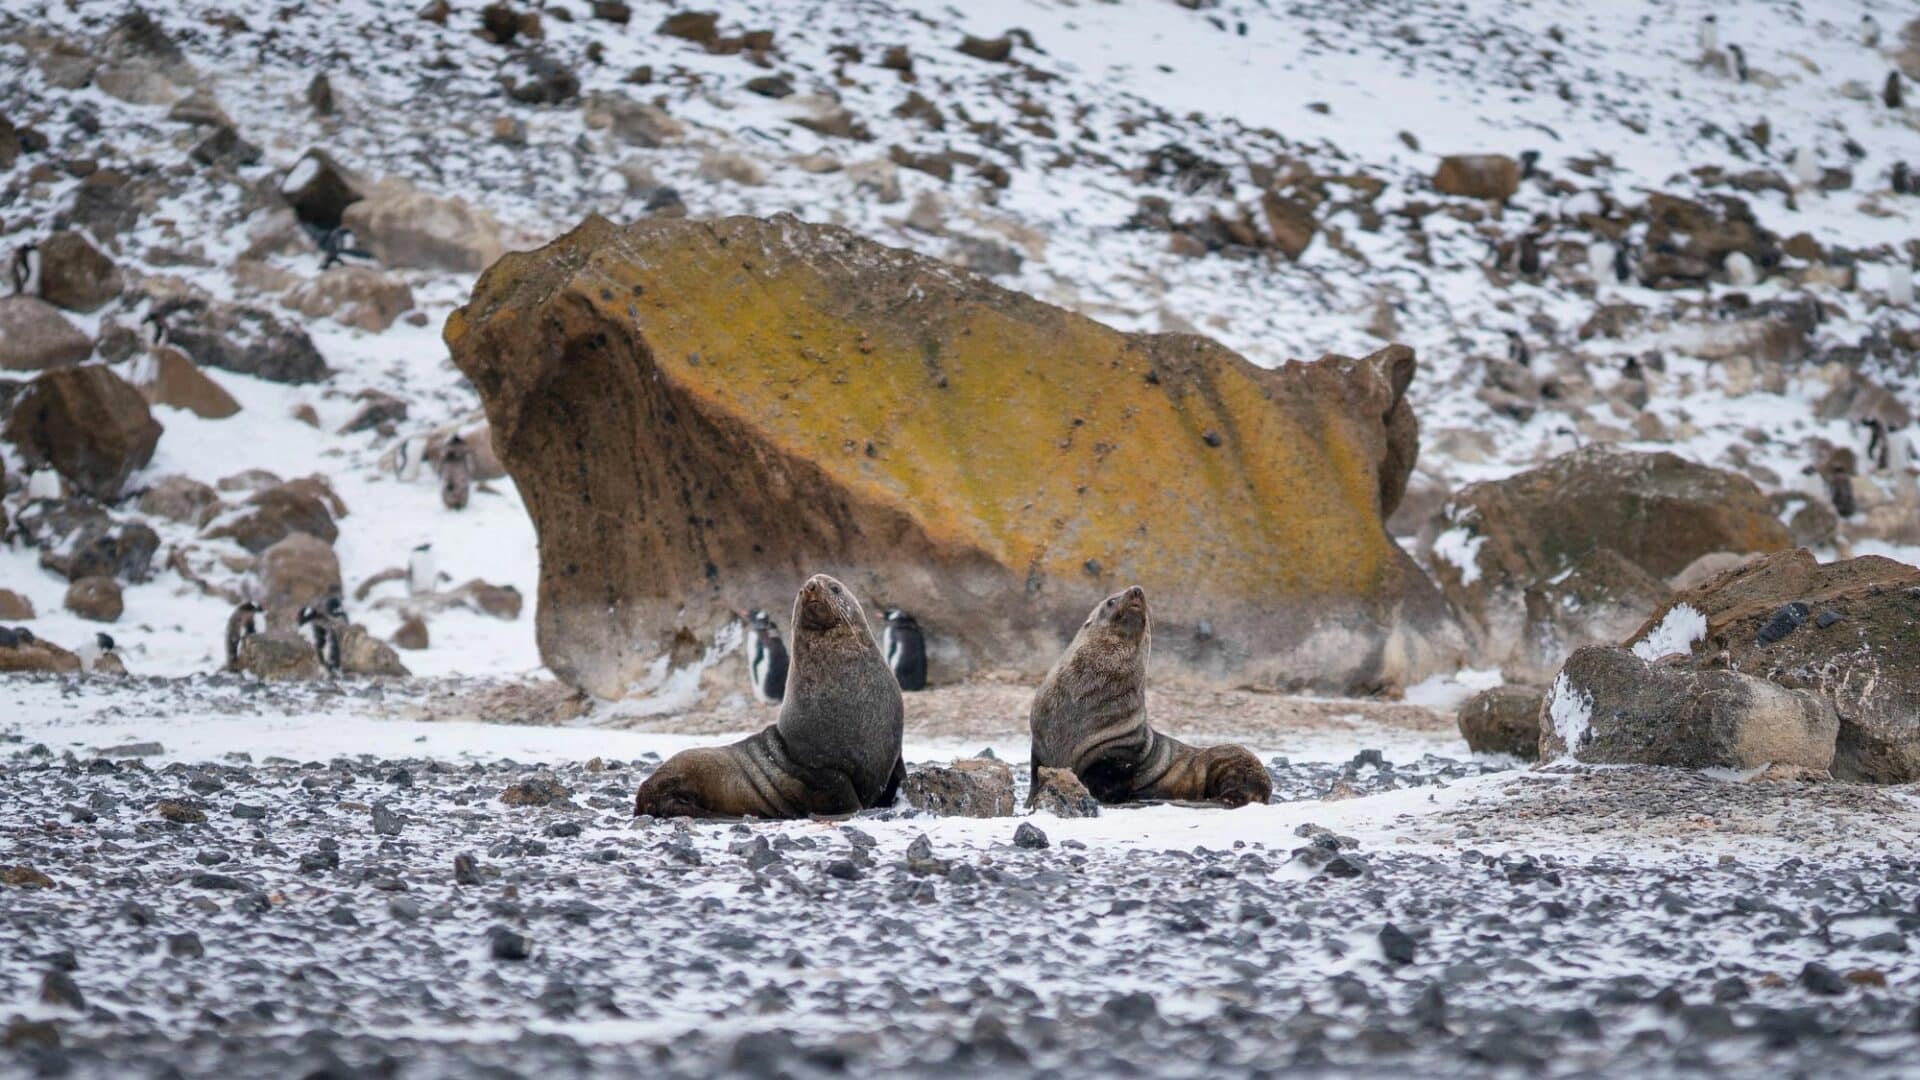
(85, 424)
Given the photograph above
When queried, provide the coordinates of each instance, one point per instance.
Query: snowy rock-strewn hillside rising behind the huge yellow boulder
(1049, 159)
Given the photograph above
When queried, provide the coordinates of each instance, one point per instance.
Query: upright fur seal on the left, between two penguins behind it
(836, 747)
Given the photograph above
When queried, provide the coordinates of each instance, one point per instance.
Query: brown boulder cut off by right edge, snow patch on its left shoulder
(1856, 643)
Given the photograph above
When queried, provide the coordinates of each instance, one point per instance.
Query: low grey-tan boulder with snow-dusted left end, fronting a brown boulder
(1612, 708)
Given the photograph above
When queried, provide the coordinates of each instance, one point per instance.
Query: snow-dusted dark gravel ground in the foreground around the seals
(258, 881)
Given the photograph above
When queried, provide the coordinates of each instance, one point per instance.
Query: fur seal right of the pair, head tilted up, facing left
(1092, 718)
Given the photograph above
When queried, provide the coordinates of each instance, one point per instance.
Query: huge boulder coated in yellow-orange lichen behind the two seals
(700, 414)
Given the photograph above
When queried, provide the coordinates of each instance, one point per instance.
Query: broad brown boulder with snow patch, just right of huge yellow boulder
(1575, 552)
